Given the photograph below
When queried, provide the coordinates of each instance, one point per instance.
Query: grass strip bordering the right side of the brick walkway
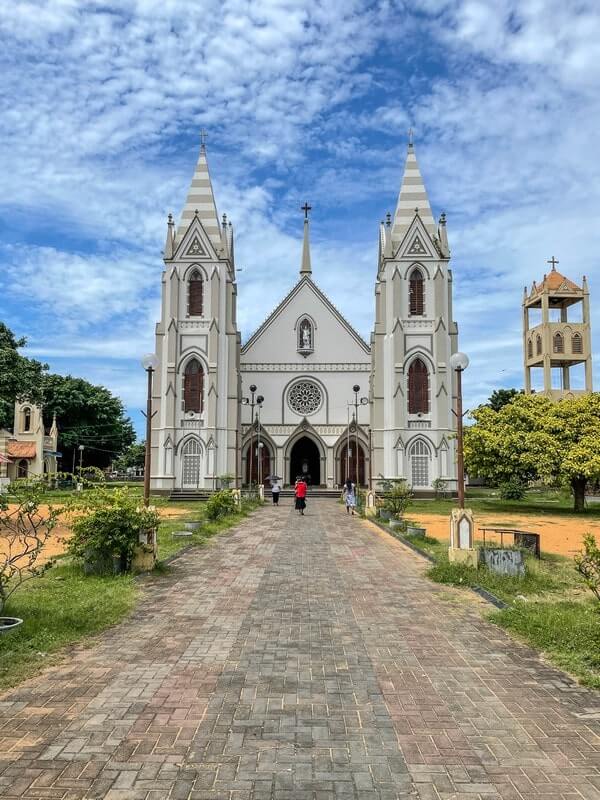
(549, 608)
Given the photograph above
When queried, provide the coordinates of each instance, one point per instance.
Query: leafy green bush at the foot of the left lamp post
(110, 525)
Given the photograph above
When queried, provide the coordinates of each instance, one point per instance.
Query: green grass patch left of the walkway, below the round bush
(60, 608)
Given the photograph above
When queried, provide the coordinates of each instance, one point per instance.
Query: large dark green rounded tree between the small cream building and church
(87, 415)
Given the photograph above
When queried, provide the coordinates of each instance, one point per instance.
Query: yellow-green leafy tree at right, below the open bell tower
(533, 437)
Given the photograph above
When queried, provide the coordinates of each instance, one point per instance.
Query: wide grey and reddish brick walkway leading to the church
(301, 658)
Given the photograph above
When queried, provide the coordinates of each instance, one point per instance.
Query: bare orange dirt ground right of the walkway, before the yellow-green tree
(561, 535)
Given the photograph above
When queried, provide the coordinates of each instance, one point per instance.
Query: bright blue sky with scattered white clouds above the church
(101, 105)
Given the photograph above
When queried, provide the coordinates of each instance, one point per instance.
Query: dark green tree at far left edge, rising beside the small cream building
(20, 377)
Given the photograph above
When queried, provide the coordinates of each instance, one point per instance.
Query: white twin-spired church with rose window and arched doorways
(311, 368)
